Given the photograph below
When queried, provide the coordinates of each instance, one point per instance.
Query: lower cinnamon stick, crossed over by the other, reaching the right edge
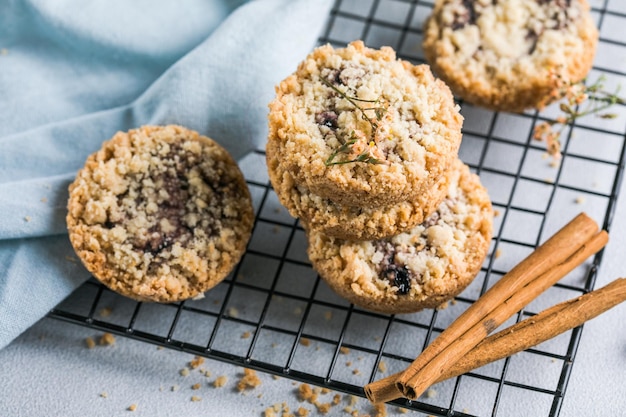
(521, 336)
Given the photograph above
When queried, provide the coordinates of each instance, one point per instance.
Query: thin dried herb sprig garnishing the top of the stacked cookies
(347, 147)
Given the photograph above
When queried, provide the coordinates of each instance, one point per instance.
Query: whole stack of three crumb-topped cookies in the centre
(362, 148)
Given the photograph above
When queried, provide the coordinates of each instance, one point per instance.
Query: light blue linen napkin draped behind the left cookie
(72, 73)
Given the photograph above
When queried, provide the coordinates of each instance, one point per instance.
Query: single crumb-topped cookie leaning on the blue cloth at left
(159, 213)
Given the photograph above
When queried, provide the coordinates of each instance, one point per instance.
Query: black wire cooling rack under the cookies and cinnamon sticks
(274, 314)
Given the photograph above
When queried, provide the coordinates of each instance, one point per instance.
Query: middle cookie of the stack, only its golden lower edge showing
(348, 222)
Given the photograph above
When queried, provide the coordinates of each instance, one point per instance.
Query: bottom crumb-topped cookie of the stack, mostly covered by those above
(419, 269)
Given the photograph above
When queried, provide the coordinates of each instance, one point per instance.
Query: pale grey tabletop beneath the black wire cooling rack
(49, 370)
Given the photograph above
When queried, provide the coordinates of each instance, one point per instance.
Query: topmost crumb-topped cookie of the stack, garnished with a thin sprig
(362, 128)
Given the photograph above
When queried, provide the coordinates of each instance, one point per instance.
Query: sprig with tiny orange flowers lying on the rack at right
(596, 101)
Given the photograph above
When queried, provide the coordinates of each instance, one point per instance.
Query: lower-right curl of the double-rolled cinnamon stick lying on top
(415, 381)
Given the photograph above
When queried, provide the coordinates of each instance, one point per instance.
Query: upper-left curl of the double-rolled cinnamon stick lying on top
(555, 250)
